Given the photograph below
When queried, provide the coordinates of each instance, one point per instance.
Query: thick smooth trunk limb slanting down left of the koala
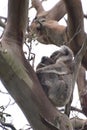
(20, 79)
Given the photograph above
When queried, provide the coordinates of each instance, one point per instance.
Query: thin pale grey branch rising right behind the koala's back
(76, 64)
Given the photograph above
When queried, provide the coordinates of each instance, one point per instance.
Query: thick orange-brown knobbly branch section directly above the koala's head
(49, 32)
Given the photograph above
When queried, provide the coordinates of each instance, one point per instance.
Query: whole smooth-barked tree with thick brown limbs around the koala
(18, 76)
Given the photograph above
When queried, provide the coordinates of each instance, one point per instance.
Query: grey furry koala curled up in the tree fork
(55, 76)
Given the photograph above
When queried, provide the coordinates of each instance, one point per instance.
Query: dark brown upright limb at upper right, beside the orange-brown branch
(76, 24)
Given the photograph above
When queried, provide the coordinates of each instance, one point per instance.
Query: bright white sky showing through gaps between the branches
(39, 50)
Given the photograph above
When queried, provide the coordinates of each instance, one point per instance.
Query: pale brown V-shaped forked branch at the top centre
(55, 13)
